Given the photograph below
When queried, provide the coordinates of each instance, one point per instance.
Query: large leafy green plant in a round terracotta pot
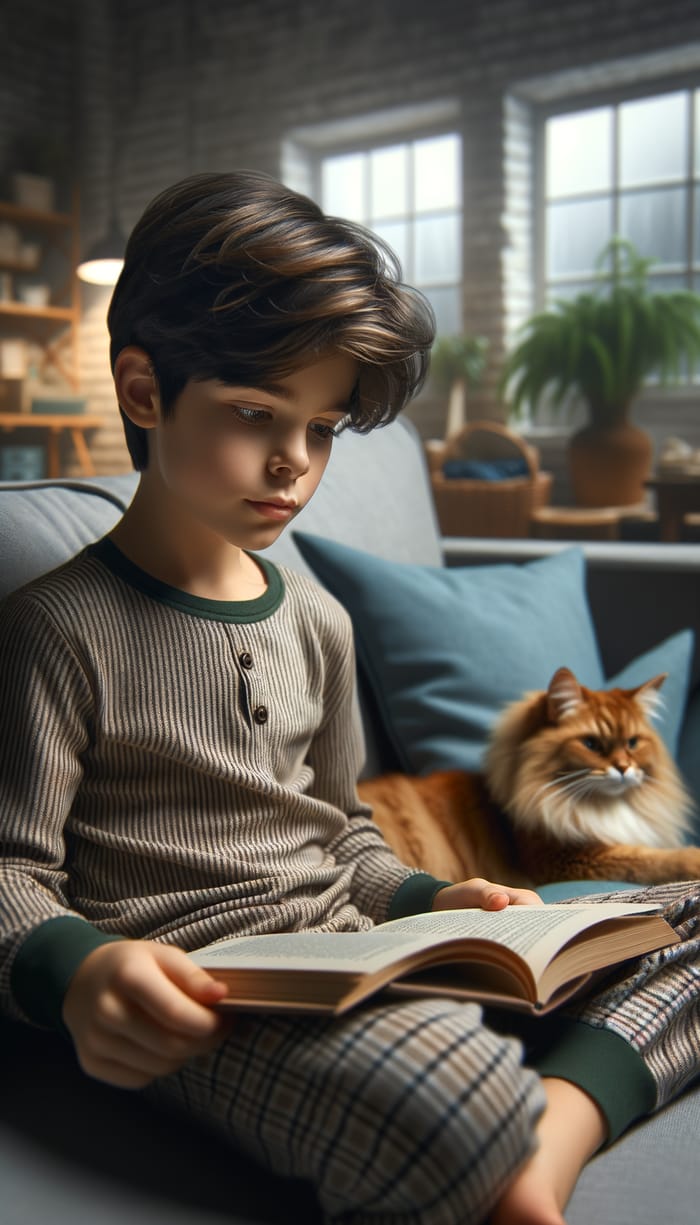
(601, 347)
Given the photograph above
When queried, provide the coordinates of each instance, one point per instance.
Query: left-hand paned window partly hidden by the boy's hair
(410, 193)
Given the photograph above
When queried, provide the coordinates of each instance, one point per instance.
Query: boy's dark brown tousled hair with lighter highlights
(237, 277)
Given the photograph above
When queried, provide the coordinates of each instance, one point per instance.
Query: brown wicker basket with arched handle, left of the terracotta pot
(470, 507)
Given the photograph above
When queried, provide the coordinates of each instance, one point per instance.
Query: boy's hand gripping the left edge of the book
(138, 1010)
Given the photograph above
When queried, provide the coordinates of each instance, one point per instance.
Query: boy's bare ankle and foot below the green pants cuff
(569, 1133)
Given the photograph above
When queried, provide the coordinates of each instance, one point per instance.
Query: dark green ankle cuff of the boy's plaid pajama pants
(606, 1068)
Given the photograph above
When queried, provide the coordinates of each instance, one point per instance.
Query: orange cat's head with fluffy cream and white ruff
(582, 765)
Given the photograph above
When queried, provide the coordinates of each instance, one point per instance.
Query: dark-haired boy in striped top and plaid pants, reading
(194, 776)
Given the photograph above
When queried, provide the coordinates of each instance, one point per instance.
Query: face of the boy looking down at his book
(242, 461)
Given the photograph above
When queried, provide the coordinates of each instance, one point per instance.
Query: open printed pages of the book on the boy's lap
(534, 933)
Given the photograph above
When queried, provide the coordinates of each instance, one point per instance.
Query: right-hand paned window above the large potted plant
(630, 168)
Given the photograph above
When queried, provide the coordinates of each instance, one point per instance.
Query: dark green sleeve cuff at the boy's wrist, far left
(46, 965)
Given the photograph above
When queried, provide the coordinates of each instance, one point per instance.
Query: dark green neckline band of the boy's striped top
(211, 611)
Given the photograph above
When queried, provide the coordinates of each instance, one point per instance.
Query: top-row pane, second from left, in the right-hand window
(654, 140)
